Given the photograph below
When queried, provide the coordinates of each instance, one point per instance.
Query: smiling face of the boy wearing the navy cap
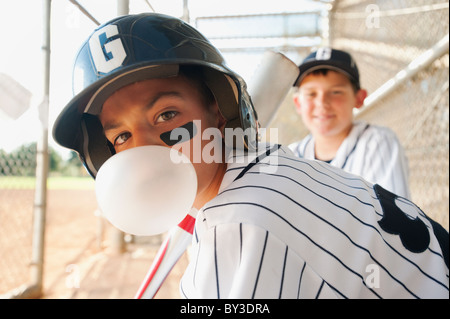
(326, 103)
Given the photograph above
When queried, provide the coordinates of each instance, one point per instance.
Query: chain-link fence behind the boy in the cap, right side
(387, 38)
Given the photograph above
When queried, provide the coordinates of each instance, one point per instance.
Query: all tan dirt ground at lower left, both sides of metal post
(80, 259)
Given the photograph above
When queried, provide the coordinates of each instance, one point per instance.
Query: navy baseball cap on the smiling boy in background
(332, 59)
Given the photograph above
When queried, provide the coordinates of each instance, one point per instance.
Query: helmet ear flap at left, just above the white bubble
(96, 148)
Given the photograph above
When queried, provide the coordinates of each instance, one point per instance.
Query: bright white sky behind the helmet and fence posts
(21, 55)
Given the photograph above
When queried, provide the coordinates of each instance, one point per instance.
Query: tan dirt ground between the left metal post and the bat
(81, 261)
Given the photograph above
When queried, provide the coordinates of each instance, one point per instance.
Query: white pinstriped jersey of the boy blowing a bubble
(284, 227)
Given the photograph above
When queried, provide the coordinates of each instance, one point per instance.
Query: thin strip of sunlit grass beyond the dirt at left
(60, 182)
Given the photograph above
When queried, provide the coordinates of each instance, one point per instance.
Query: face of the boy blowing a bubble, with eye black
(138, 114)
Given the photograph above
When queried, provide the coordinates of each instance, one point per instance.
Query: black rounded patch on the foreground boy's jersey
(413, 233)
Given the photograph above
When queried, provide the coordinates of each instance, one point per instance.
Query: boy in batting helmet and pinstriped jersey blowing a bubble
(269, 225)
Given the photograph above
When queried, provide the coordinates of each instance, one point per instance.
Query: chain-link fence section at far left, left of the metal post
(16, 211)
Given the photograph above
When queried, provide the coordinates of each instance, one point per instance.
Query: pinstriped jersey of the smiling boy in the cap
(370, 151)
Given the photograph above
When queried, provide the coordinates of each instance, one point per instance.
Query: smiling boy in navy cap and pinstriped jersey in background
(328, 92)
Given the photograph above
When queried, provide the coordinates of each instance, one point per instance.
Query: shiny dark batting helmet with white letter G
(131, 48)
